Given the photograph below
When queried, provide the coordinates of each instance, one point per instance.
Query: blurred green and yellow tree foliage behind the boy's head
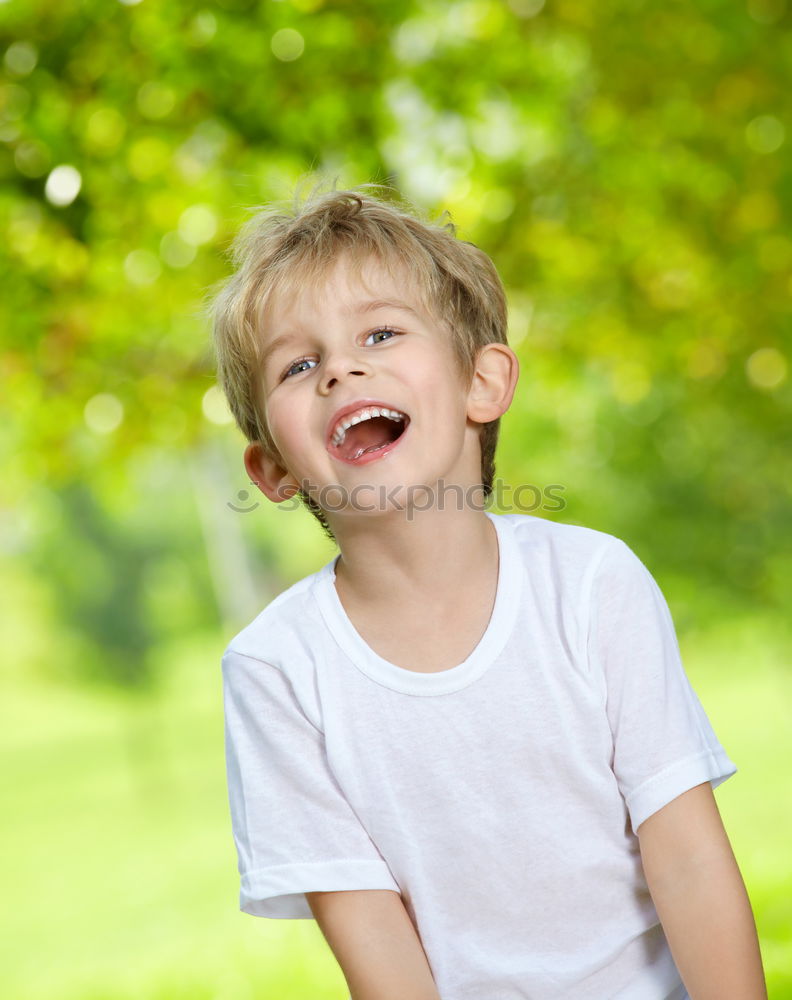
(624, 164)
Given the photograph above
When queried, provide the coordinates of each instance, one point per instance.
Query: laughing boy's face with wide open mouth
(333, 353)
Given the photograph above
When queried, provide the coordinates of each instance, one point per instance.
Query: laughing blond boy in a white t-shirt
(466, 745)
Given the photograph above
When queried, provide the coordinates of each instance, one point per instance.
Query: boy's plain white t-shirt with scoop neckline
(498, 797)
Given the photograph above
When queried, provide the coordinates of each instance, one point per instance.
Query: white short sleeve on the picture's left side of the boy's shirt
(294, 830)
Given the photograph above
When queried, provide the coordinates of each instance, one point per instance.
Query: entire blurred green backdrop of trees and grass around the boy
(627, 166)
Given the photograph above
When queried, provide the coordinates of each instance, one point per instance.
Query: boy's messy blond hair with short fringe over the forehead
(279, 249)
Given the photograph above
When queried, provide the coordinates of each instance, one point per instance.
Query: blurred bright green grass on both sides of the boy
(118, 867)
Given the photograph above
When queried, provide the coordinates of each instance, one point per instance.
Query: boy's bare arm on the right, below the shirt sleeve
(701, 899)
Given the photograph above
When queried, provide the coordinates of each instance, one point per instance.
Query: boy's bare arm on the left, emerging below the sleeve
(375, 943)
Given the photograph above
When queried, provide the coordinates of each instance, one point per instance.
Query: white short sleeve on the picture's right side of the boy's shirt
(663, 743)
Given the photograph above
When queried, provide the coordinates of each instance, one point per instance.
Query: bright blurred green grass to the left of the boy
(117, 862)
